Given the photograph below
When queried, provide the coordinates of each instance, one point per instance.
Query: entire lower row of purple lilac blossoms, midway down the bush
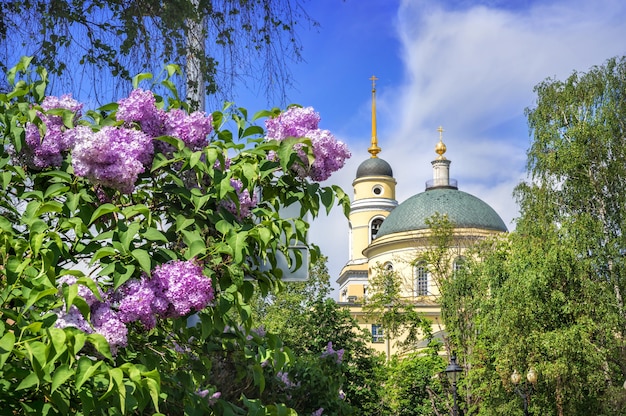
(177, 288)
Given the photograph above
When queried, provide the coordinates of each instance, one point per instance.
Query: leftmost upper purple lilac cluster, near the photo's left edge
(48, 151)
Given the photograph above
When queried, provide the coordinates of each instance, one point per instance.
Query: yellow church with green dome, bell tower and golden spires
(388, 235)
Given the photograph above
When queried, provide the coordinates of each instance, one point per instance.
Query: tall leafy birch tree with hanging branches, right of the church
(550, 296)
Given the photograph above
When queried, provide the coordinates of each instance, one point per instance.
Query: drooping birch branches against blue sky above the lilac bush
(231, 42)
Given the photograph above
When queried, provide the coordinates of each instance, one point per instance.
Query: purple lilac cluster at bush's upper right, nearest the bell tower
(330, 154)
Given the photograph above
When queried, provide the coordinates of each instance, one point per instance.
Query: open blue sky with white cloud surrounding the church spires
(469, 66)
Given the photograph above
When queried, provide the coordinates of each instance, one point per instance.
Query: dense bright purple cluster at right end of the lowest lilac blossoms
(175, 289)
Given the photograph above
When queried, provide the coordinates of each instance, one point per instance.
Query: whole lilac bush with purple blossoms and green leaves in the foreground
(167, 231)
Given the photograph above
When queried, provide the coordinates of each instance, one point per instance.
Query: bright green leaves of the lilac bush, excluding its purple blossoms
(54, 224)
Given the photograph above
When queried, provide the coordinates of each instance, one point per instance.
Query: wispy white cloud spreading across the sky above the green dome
(473, 71)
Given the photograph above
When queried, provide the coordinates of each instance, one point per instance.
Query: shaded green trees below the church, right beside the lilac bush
(307, 321)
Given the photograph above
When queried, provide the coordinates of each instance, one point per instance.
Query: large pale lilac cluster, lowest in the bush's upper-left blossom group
(113, 157)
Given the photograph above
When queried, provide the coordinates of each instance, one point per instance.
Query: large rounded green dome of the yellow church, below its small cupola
(464, 211)
